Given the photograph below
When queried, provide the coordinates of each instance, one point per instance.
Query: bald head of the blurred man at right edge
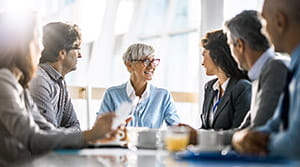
(283, 23)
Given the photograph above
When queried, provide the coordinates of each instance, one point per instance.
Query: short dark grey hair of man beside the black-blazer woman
(247, 27)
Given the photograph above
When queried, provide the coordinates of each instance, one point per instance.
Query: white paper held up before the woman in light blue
(121, 114)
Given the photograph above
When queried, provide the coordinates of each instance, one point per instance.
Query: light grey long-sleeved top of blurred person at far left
(20, 136)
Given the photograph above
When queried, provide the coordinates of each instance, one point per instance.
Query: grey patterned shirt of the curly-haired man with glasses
(48, 90)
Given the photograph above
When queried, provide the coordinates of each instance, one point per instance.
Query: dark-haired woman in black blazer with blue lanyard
(227, 97)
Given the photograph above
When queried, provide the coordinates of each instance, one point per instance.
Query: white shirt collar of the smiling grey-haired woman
(131, 92)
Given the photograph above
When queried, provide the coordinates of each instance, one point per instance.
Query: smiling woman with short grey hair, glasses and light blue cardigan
(152, 105)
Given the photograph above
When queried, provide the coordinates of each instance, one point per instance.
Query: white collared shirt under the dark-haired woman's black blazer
(216, 87)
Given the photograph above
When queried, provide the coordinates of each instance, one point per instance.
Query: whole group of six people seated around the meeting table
(253, 101)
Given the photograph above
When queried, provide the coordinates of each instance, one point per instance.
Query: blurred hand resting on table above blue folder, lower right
(250, 142)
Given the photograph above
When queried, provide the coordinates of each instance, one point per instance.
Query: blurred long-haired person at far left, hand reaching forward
(20, 137)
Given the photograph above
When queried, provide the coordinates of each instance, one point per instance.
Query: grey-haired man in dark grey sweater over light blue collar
(252, 51)
